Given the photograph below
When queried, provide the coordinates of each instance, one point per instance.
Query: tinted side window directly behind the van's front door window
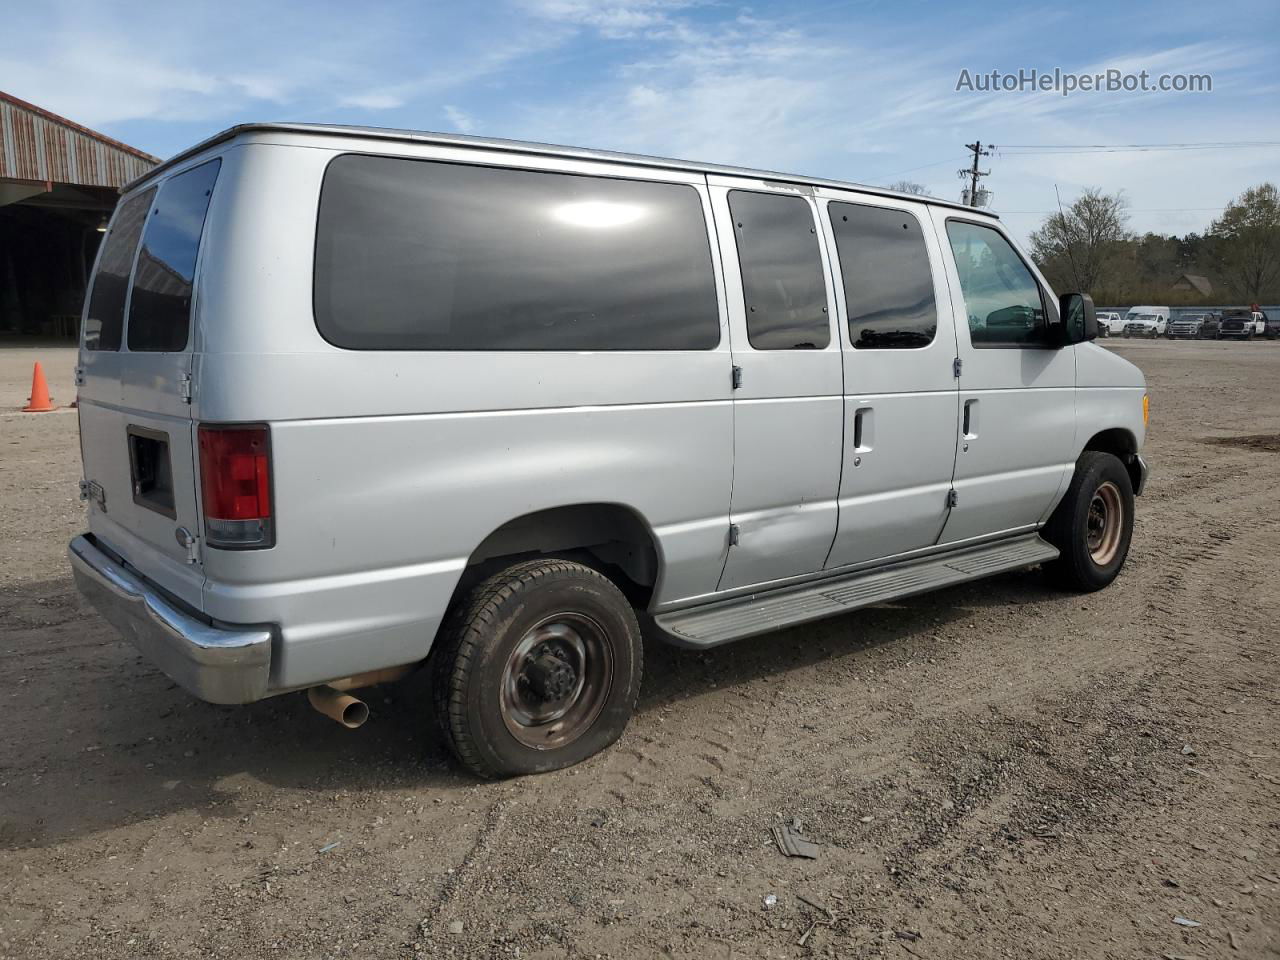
(889, 285)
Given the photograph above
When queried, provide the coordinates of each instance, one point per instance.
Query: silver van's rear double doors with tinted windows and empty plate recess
(135, 372)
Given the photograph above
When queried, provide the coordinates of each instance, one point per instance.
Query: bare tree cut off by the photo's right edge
(1247, 241)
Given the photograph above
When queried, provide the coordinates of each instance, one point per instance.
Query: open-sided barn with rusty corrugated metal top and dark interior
(58, 186)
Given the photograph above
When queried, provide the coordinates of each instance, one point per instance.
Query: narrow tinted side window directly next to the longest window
(783, 277)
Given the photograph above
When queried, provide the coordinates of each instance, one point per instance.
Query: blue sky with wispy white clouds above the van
(862, 92)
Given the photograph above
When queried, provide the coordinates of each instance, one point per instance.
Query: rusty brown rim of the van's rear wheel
(557, 680)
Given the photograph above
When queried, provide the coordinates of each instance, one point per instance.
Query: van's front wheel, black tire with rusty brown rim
(1084, 564)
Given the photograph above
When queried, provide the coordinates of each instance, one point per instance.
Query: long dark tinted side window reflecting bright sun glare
(424, 255)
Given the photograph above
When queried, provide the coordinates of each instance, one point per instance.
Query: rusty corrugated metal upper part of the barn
(42, 147)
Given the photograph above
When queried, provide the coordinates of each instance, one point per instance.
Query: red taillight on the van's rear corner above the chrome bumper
(236, 486)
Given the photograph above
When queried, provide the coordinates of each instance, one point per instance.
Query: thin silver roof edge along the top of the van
(520, 147)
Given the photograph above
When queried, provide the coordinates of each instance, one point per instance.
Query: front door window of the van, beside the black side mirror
(1002, 296)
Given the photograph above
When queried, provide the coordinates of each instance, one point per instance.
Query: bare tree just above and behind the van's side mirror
(1078, 245)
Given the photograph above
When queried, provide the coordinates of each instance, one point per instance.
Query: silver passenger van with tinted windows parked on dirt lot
(356, 401)
